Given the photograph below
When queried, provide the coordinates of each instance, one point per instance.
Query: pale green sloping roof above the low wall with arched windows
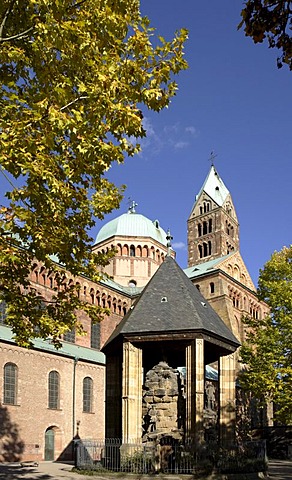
(67, 350)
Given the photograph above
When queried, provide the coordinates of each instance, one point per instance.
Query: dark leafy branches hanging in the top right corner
(272, 20)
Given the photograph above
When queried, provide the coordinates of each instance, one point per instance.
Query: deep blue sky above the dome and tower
(232, 100)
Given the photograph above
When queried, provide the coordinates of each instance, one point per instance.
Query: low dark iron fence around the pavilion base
(167, 456)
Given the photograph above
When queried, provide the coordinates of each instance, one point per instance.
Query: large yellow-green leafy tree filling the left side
(74, 77)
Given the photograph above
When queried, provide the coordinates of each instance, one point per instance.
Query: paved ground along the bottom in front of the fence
(278, 470)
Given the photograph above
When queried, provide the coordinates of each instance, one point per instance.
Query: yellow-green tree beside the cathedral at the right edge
(267, 352)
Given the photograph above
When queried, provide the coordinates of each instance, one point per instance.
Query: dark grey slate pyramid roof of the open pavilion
(171, 303)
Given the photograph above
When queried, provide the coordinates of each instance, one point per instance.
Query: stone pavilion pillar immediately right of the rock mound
(195, 391)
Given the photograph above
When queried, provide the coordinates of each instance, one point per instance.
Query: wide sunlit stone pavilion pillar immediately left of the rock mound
(132, 393)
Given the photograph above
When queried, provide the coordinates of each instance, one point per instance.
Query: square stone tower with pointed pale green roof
(213, 228)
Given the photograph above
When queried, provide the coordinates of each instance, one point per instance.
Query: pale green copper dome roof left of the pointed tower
(132, 224)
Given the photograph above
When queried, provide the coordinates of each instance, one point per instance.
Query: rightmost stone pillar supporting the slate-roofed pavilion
(227, 412)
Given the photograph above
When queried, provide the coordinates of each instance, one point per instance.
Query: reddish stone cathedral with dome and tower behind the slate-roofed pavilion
(48, 396)
